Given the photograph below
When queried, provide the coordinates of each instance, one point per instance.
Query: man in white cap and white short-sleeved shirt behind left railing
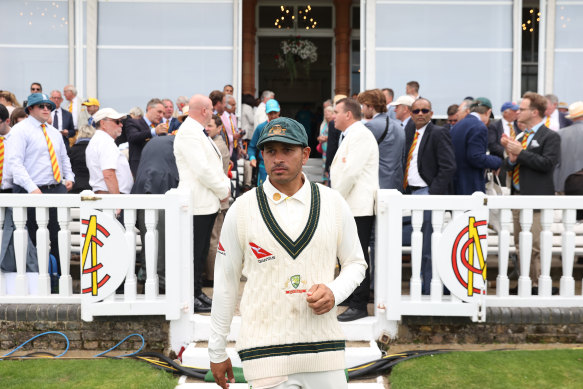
(109, 170)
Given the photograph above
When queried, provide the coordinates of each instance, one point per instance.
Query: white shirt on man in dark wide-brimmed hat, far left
(28, 157)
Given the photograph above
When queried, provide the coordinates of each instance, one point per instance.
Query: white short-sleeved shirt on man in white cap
(102, 154)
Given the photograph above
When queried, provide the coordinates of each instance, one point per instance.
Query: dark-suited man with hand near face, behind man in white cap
(139, 131)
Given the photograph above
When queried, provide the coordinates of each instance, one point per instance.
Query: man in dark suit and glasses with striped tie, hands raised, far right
(532, 158)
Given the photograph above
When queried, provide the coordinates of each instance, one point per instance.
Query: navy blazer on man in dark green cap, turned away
(470, 142)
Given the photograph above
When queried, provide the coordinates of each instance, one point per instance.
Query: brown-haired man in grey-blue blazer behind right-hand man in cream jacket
(390, 137)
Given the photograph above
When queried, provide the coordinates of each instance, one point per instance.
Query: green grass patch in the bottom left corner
(95, 373)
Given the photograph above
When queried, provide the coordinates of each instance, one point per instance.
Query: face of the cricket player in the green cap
(283, 162)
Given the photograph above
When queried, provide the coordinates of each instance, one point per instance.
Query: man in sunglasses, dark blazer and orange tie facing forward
(429, 169)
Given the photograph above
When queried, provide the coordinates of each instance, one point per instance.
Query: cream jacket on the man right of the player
(355, 169)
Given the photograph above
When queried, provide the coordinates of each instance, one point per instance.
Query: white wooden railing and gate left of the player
(173, 206)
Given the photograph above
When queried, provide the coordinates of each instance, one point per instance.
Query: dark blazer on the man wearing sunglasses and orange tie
(436, 159)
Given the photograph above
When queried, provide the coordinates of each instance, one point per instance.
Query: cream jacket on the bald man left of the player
(200, 168)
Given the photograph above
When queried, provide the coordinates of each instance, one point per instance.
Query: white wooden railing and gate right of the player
(392, 302)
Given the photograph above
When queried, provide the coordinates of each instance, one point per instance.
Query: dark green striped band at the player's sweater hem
(291, 349)
